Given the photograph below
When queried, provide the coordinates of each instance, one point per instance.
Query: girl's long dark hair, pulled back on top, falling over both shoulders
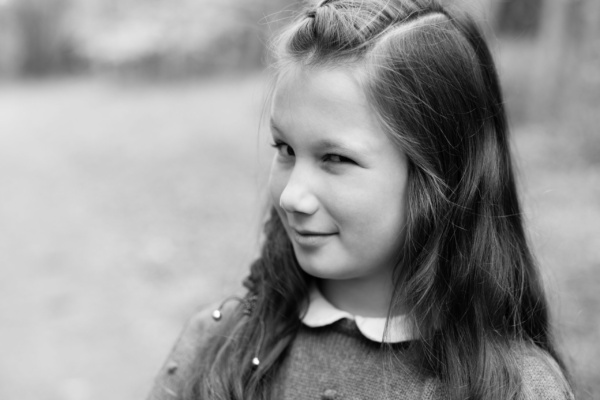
(466, 273)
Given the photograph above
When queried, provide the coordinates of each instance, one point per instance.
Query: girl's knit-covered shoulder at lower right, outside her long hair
(541, 375)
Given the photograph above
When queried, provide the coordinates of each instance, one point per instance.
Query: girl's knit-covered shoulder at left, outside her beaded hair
(196, 333)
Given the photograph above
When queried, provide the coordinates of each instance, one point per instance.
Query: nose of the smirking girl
(297, 196)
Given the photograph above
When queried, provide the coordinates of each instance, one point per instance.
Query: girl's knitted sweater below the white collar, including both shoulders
(336, 362)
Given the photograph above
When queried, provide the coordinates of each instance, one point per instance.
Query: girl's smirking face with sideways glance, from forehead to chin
(337, 180)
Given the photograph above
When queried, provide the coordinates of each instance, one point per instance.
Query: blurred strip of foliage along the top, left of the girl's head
(138, 38)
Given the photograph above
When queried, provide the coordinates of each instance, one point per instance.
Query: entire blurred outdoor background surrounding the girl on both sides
(132, 175)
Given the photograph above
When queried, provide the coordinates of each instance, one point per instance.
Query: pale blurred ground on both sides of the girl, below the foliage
(127, 206)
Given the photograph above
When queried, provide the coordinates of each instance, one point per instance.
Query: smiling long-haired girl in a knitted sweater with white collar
(395, 263)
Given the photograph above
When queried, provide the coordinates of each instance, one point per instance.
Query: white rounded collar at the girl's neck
(321, 312)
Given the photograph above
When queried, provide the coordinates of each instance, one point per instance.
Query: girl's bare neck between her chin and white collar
(364, 297)
